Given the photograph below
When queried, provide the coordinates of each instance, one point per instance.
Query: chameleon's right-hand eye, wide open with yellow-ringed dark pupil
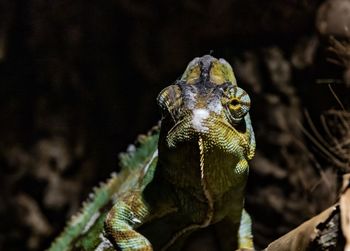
(239, 103)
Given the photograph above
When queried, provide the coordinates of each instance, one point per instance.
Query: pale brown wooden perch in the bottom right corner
(329, 230)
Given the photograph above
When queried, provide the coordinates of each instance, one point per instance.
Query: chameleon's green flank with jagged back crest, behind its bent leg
(85, 230)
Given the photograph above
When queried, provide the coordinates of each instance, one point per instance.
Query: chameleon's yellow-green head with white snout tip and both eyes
(206, 102)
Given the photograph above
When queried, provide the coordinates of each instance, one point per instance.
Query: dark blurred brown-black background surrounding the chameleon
(78, 82)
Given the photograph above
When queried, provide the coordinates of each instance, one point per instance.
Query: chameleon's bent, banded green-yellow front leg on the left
(121, 221)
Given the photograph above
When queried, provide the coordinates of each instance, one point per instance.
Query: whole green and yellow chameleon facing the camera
(187, 174)
